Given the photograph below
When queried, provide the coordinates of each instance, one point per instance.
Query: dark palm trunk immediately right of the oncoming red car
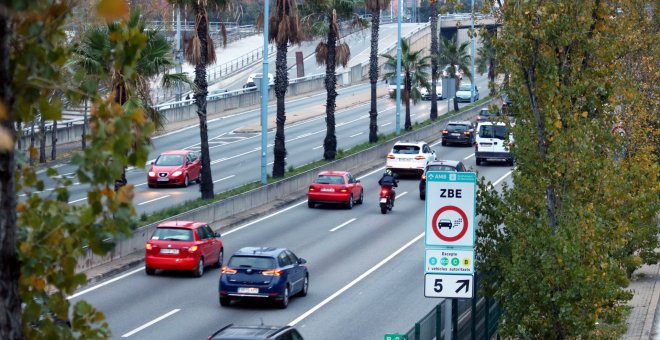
(200, 99)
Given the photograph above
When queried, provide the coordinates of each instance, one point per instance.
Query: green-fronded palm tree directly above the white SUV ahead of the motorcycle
(415, 68)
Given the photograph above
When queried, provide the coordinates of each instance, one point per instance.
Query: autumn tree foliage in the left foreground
(51, 234)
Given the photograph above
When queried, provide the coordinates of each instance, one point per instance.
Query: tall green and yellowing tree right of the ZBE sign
(582, 213)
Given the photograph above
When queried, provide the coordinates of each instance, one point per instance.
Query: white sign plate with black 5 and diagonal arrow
(449, 286)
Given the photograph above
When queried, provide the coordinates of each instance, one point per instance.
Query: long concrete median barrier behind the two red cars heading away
(288, 189)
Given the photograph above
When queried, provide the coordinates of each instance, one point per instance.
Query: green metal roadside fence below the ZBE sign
(475, 318)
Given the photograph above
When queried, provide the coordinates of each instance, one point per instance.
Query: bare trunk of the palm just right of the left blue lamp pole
(281, 84)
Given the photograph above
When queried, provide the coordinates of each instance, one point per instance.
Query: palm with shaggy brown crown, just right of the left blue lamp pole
(283, 29)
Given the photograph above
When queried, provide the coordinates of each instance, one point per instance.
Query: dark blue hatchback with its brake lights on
(273, 274)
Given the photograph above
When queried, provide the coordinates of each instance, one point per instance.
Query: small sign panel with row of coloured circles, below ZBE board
(449, 261)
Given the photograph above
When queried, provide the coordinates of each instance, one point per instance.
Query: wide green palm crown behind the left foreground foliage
(129, 91)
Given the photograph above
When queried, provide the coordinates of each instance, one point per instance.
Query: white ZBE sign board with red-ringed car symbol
(450, 209)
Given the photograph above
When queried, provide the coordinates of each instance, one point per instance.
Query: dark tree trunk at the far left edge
(10, 301)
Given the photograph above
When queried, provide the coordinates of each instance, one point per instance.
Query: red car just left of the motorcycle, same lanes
(335, 187)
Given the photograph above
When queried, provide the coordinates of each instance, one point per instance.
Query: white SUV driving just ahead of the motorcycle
(409, 157)
